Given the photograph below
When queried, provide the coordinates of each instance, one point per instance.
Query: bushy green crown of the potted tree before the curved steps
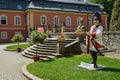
(36, 37)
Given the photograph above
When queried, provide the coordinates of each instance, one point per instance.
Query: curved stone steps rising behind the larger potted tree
(46, 51)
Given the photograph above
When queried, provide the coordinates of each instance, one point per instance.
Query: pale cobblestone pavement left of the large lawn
(11, 64)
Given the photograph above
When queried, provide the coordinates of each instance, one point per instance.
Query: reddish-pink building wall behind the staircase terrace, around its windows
(62, 17)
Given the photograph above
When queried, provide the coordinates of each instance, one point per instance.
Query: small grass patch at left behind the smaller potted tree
(14, 47)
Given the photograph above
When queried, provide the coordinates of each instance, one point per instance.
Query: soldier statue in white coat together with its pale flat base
(96, 43)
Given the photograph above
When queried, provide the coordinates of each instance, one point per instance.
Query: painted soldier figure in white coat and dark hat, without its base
(96, 43)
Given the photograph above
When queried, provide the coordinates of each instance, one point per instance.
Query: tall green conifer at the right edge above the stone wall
(115, 17)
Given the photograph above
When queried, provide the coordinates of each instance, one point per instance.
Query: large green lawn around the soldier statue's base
(66, 69)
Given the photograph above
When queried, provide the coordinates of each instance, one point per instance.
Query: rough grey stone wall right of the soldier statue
(112, 40)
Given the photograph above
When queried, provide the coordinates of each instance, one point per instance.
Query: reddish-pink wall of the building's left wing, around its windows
(10, 28)
